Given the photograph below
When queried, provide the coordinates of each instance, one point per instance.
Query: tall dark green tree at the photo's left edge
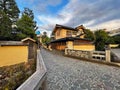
(9, 14)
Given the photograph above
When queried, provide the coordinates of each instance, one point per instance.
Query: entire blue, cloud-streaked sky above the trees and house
(93, 14)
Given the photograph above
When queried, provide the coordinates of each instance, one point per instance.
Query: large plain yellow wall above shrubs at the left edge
(10, 55)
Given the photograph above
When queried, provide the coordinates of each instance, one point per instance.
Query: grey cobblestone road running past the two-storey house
(72, 74)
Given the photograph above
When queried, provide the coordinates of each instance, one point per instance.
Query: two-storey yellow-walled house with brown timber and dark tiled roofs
(72, 38)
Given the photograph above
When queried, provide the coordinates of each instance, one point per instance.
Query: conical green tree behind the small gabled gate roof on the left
(26, 25)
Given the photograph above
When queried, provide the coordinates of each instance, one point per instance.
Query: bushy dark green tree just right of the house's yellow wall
(100, 39)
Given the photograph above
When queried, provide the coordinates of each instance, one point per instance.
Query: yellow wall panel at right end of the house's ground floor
(84, 47)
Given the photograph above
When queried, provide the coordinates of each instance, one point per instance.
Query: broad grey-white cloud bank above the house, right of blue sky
(94, 15)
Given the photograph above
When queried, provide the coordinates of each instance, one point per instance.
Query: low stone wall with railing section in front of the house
(92, 55)
